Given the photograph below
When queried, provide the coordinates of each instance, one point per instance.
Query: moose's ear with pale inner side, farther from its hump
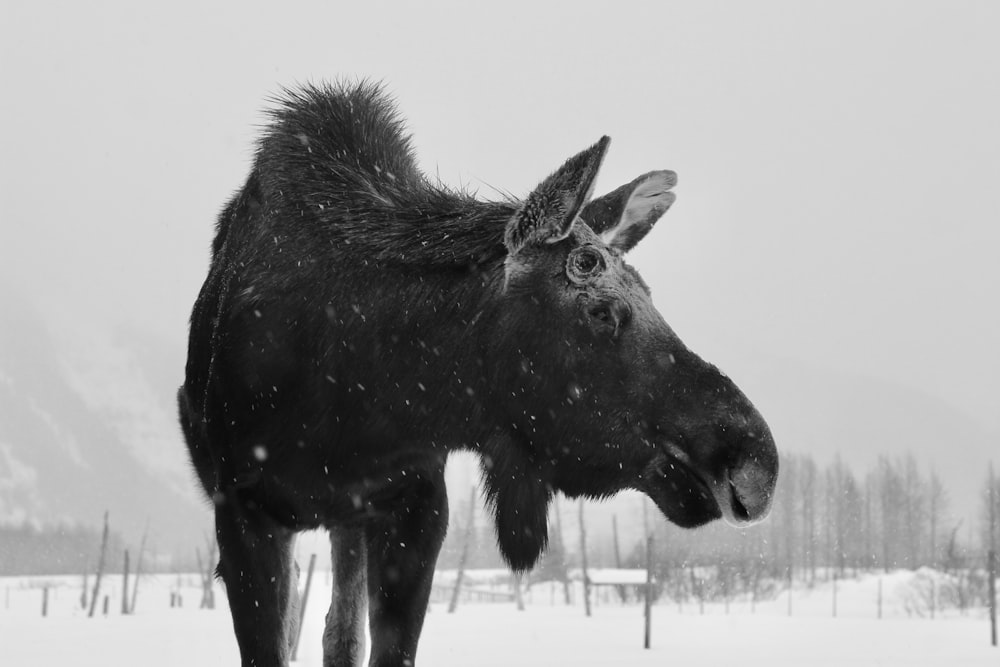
(623, 217)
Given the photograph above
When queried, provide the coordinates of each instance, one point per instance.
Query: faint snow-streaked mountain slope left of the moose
(83, 428)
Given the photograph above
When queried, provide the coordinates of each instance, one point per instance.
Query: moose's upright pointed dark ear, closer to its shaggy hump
(549, 212)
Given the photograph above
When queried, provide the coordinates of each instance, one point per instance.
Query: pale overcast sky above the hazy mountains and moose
(838, 161)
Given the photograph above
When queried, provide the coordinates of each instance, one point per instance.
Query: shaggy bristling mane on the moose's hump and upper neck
(336, 159)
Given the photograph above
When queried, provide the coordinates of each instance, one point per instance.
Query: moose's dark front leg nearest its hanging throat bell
(402, 551)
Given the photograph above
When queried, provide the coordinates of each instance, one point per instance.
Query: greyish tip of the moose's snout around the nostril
(751, 480)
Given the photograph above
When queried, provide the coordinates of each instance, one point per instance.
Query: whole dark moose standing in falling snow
(359, 322)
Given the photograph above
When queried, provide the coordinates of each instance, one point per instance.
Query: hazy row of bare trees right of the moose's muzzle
(828, 519)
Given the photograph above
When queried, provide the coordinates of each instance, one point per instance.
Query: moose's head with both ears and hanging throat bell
(603, 394)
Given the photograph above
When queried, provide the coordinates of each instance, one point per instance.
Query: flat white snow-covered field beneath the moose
(498, 634)
